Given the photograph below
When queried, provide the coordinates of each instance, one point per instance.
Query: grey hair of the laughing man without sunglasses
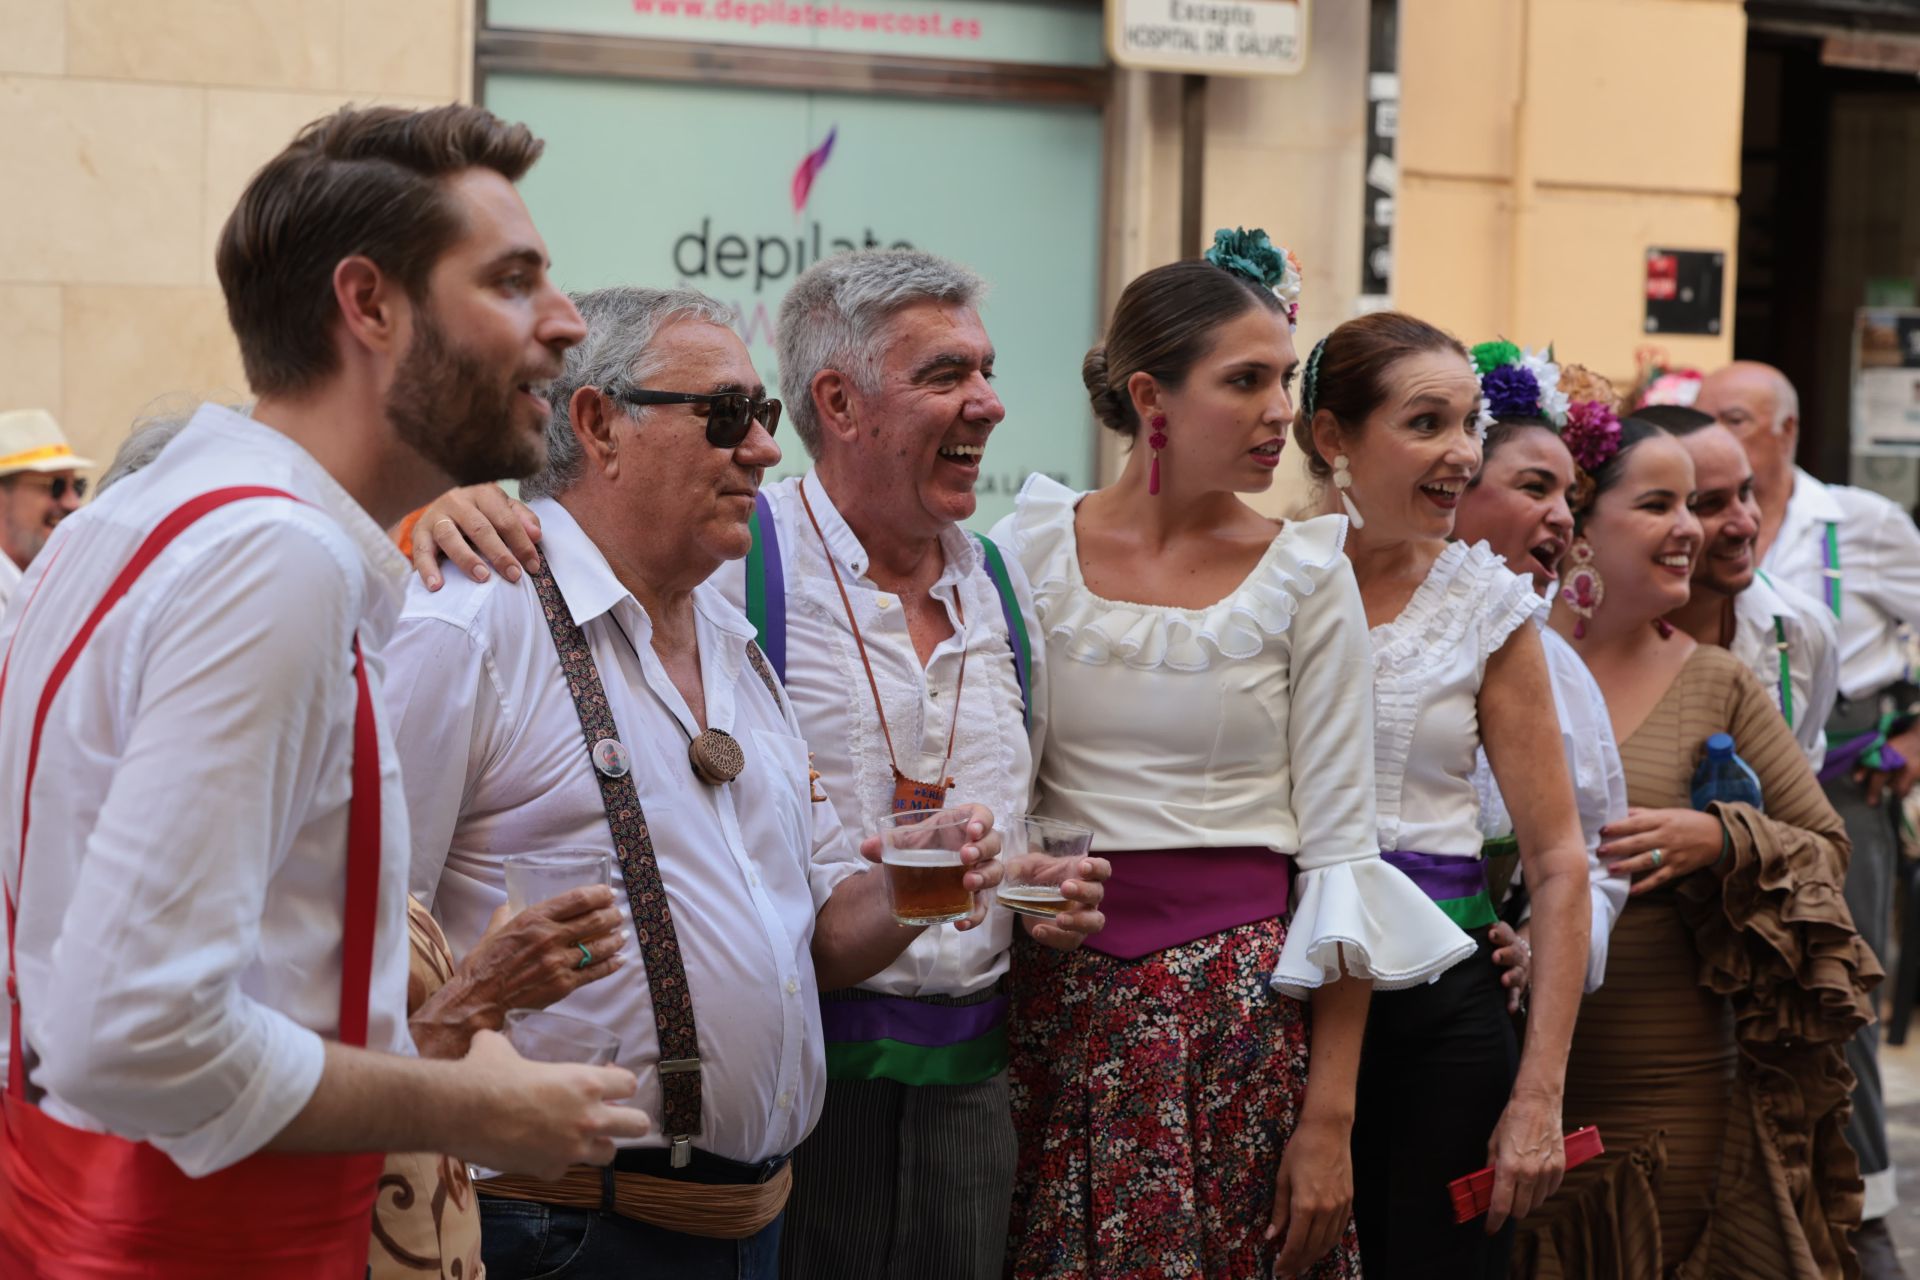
(836, 312)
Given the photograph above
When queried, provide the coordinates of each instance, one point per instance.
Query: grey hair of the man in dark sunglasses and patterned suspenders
(623, 323)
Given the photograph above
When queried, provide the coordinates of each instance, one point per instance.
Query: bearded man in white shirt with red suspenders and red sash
(206, 888)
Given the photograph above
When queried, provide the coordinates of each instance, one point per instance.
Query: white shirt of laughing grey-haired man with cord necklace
(994, 753)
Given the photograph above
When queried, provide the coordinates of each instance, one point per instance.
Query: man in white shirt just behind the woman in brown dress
(1783, 634)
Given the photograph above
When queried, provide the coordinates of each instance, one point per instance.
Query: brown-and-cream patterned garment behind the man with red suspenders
(425, 1220)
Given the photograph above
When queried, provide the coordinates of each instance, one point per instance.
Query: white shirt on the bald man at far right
(1879, 575)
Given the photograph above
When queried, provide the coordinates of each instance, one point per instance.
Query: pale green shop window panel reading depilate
(736, 191)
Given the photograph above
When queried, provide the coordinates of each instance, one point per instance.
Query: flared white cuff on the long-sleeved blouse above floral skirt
(1368, 920)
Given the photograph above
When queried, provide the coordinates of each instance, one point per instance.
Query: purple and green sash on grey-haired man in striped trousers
(915, 1041)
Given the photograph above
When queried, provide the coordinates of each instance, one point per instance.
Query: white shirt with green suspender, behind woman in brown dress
(1769, 611)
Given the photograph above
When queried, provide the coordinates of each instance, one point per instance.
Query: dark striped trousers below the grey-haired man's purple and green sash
(903, 1181)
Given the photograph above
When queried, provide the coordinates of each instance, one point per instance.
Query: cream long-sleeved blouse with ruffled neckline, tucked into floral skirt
(1241, 724)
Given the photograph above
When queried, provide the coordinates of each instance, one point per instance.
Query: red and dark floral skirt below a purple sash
(1153, 1101)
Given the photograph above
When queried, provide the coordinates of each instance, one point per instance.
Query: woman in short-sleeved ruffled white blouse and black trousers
(1391, 421)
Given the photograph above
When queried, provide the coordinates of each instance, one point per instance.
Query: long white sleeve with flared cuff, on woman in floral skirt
(1353, 913)
